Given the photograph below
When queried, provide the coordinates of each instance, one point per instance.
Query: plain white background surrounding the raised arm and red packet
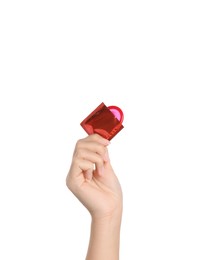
(61, 59)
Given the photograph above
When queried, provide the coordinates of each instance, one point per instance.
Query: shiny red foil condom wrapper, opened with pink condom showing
(105, 121)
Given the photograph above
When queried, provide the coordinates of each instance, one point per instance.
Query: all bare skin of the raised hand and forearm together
(92, 180)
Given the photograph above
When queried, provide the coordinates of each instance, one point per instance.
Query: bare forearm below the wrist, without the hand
(105, 238)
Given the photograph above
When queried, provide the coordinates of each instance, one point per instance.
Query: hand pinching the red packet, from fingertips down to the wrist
(92, 179)
